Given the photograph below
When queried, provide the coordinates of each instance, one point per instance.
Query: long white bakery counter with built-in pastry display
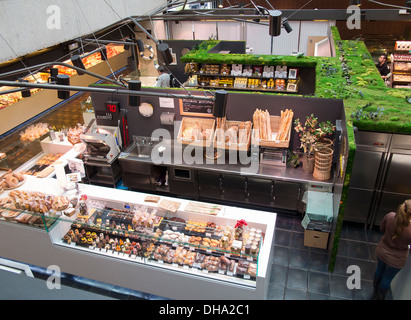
(142, 228)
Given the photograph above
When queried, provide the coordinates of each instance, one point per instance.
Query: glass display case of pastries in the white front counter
(188, 242)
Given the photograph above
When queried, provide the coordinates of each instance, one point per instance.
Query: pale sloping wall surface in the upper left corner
(28, 26)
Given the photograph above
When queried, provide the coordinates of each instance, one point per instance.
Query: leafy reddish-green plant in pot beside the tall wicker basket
(309, 136)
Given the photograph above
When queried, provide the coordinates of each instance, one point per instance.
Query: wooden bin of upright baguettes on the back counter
(272, 131)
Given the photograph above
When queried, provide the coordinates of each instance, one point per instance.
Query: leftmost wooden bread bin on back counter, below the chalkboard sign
(196, 131)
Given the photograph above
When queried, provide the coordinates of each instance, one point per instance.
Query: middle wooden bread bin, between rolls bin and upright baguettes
(234, 135)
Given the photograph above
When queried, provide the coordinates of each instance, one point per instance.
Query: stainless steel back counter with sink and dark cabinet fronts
(184, 171)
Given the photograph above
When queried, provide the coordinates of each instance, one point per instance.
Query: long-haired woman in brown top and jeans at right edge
(392, 249)
